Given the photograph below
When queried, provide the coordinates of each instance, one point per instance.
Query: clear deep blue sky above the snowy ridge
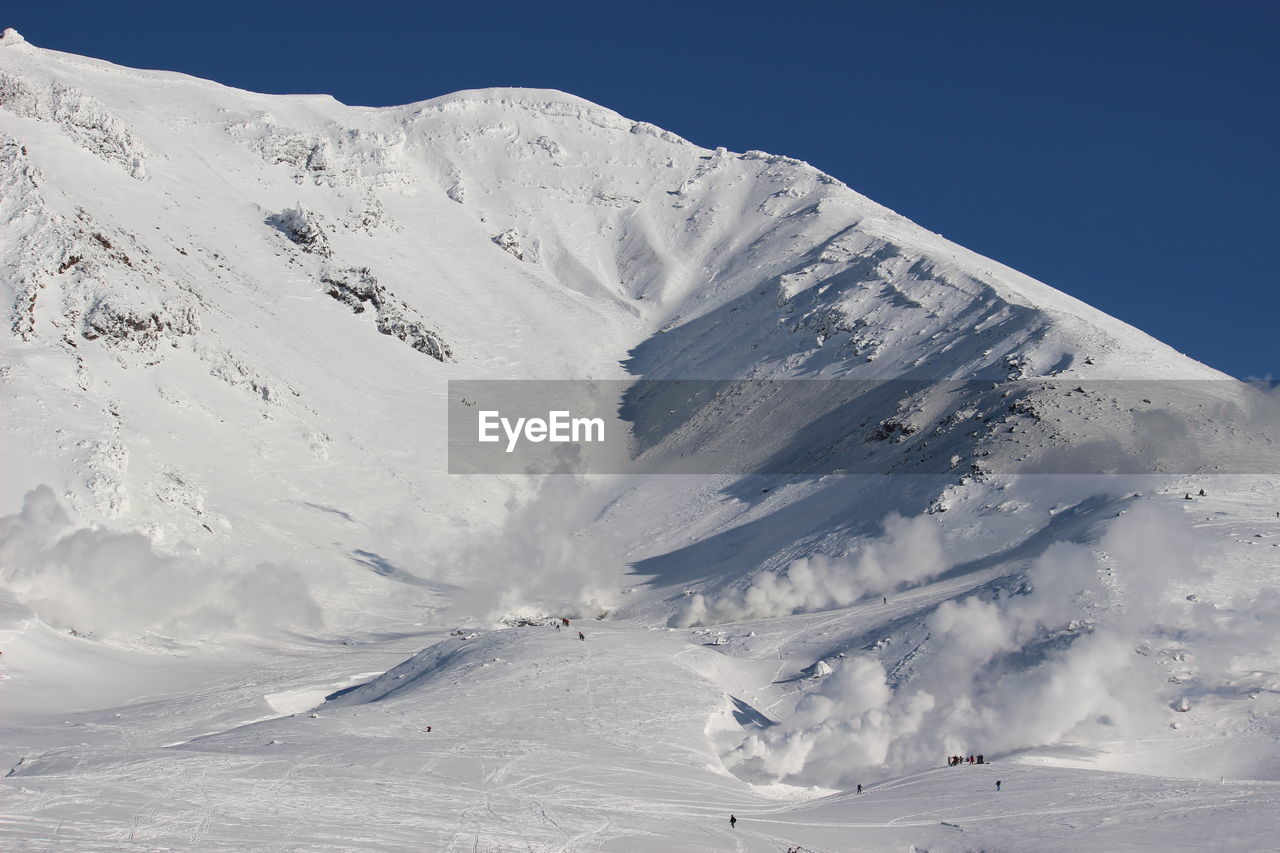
(1124, 153)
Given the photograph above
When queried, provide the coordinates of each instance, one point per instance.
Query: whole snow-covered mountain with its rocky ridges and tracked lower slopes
(231, 322)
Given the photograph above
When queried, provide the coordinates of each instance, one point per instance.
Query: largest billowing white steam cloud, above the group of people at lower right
(1087, 644)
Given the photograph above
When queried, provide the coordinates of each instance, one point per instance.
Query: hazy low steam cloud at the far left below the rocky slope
(109, 583)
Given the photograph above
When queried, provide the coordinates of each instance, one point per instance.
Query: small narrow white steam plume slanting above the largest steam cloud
(911, 551)
